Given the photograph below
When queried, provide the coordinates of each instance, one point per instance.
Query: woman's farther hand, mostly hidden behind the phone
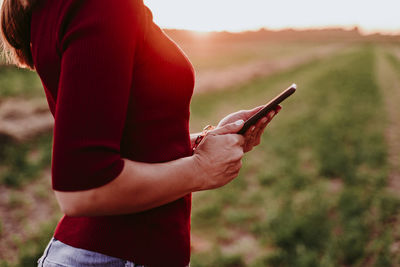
(253, 134)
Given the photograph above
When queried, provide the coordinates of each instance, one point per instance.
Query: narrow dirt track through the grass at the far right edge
(390, 84)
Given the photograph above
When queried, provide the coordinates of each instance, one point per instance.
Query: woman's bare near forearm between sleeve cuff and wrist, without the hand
(139, 187)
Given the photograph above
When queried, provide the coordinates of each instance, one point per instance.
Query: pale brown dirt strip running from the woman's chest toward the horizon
(214, 79)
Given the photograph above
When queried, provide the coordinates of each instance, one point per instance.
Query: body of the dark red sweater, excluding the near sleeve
(156, 129)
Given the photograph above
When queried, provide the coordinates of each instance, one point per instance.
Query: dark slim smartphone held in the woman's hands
(271, 105)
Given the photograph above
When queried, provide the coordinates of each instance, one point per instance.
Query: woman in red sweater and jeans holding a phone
(123, 166)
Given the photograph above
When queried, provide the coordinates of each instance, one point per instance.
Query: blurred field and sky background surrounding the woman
(323, 187)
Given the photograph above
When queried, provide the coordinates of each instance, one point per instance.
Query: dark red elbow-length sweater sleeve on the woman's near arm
(97, 43)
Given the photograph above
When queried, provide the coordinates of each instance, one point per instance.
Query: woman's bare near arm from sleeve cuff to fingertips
(142, 186)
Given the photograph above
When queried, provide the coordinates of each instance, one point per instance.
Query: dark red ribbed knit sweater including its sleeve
(117, 87)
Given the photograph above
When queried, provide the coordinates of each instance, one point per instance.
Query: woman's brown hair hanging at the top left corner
(15, 31)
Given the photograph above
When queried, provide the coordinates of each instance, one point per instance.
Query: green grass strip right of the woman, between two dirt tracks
(314, 193)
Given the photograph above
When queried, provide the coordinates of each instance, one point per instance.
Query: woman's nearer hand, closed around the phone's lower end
(219, 156)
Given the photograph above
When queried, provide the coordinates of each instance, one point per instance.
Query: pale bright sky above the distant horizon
(237, 15)
